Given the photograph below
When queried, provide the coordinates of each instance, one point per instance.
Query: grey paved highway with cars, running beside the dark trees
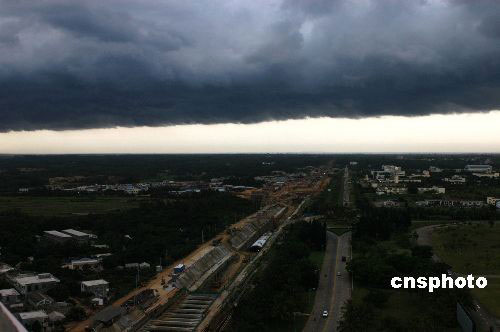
(333, 290)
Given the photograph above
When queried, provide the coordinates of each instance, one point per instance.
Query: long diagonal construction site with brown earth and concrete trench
(193, 294)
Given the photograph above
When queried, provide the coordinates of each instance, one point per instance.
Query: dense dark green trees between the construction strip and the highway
(280, 288)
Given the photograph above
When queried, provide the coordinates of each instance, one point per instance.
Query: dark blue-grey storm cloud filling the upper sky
(89, 64)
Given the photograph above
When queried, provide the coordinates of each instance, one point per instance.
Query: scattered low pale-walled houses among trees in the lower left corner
(28, 296)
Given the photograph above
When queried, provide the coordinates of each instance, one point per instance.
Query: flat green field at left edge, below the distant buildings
(59, 206)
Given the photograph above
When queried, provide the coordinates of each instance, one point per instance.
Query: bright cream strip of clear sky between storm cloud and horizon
(453, 133)
